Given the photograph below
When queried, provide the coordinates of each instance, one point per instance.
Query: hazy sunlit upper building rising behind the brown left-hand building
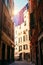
(10, 5)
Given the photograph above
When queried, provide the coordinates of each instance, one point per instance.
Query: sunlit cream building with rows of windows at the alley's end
(22, 42)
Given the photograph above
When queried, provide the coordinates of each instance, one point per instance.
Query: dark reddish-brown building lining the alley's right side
(36, 33)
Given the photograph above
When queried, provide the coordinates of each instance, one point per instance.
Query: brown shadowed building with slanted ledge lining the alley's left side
(6, 35)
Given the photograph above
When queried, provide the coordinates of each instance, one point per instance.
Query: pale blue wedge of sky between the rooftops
(19, 4)
